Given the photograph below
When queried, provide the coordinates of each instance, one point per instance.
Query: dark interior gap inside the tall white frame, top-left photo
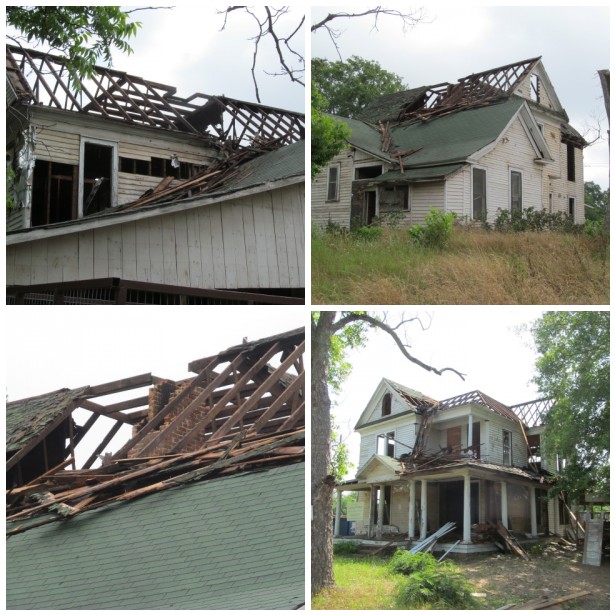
(97, 177)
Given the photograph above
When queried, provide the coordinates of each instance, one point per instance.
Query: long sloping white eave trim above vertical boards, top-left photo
(151, 211)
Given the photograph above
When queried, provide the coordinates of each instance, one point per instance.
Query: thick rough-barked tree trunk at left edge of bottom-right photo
(322, 483)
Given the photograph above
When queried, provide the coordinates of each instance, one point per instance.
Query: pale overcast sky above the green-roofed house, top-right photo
(455, 40)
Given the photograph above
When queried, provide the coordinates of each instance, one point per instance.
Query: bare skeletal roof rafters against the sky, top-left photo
(38, 78)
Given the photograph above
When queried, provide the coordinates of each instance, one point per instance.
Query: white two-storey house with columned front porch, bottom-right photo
(470, 460)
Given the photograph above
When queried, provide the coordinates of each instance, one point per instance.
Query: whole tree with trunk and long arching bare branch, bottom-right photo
(332, 333)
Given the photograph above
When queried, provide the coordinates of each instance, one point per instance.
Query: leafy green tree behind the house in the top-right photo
(348, 86)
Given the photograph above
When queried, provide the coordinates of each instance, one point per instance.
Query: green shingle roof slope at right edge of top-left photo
(283, 163)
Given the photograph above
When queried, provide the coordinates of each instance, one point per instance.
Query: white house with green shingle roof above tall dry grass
(496, 140)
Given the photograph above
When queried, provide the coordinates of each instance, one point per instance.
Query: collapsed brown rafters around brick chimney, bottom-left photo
(244, 408)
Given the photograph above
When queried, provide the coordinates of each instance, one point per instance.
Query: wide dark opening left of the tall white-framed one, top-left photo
(54, 195)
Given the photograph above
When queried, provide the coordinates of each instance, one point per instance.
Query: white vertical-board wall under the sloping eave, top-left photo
(252, 242)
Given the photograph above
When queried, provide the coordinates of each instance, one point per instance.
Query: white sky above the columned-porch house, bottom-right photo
(484, 343)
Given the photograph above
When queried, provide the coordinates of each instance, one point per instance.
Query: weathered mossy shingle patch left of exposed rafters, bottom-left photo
(26, 418)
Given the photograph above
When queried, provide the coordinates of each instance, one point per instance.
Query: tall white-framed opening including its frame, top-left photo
(97, 176)
